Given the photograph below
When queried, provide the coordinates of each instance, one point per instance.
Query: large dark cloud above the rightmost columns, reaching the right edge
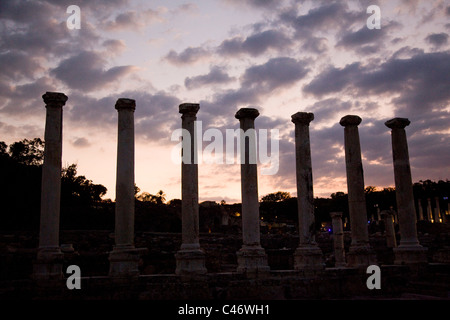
(418, 83)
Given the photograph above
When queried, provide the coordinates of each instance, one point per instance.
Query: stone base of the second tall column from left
(124, 261)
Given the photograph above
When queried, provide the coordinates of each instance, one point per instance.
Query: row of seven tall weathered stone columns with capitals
(251, 258)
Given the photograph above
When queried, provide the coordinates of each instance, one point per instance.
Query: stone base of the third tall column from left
(190, 262)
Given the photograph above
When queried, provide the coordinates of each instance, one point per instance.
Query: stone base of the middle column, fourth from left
(252, 259)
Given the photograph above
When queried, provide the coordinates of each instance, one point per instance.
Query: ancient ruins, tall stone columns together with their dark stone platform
(253, 277)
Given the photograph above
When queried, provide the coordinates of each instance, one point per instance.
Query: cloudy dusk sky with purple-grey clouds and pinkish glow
(278, 56)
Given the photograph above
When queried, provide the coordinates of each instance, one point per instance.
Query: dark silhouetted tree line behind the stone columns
(82, 206)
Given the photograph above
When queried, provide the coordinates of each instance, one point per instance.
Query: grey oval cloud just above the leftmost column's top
(85, 71)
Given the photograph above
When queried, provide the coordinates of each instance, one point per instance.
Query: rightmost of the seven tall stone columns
(409, 250)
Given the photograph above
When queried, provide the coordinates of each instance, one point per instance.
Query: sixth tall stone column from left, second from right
(360, 254)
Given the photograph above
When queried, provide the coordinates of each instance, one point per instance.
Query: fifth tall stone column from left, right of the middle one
(307, 255)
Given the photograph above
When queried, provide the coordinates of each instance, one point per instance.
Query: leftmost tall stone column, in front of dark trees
(48, 264)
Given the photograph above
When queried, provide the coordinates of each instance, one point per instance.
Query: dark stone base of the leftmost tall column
(49, 264)
